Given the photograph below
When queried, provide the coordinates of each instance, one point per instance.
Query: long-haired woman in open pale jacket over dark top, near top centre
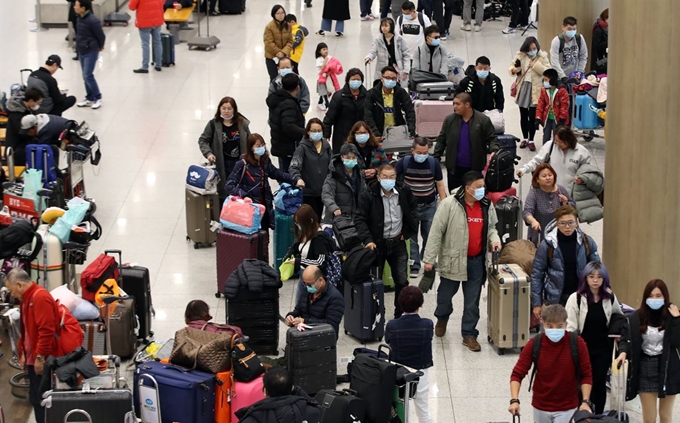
(389, 49)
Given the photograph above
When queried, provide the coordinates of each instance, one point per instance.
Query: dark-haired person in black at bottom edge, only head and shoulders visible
(283, 403)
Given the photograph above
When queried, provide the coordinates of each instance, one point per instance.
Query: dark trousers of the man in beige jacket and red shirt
(472, 291)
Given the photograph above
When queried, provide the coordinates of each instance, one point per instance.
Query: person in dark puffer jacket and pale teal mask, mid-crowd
(344, 183)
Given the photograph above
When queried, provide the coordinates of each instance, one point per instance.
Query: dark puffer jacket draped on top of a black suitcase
(253, 275)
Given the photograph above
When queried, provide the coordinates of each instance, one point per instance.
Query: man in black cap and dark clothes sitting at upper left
(54, 101)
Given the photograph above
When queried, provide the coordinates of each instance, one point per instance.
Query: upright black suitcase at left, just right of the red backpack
(137, 284)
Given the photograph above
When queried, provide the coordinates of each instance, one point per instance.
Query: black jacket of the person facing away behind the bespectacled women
(286, 121)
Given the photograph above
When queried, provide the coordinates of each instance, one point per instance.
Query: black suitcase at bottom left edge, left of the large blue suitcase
(100, 406)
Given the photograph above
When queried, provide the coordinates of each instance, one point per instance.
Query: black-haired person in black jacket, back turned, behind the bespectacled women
(286, 120)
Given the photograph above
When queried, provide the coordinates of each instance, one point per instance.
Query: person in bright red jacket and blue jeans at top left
(149, 19)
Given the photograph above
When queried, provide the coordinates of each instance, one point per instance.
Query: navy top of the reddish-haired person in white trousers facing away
(410, 338)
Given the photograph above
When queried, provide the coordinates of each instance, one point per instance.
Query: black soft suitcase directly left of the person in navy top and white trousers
(374, 380)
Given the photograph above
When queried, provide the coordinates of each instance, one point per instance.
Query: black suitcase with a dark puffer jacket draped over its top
(257, 314)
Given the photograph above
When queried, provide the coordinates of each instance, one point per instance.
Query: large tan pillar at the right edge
(642, 205)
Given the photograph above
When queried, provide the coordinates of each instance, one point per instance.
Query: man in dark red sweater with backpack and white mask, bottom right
(560, 375)
